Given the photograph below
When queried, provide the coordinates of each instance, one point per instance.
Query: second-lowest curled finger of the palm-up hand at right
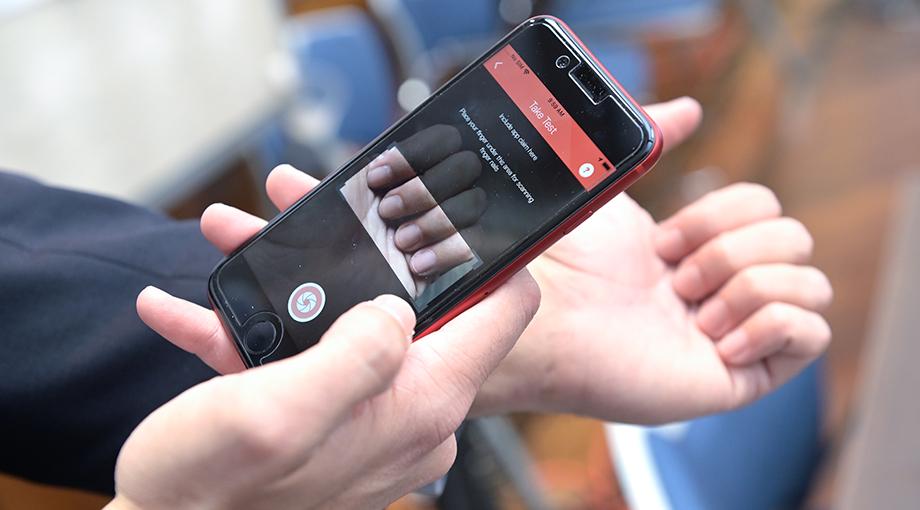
(755, 287)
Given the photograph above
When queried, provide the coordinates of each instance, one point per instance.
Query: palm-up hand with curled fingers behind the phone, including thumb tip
(639, 322)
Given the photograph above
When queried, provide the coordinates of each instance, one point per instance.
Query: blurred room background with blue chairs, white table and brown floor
(174, 104)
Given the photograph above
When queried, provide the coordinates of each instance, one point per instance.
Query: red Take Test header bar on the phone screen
(582, 157)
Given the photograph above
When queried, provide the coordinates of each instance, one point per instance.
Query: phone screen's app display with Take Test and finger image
(460, 185)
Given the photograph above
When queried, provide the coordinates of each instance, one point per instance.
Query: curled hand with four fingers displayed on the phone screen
(414, 198)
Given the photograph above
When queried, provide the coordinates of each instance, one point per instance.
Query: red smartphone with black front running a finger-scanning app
(499, 163)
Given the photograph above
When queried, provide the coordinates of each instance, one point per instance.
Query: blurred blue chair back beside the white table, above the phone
(345, 96)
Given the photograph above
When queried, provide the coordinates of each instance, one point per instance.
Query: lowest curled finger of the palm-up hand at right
(777, 328)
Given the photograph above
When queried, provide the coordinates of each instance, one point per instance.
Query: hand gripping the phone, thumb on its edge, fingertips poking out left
(354, 422)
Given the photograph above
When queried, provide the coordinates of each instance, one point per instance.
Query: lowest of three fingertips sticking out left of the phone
(190, 327)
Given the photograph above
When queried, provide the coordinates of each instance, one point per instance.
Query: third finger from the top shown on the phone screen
(441, 222)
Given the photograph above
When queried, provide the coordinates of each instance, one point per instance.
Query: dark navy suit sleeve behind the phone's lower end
(79, 370)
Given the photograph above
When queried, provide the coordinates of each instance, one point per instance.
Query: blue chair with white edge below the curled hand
(762, 456)
